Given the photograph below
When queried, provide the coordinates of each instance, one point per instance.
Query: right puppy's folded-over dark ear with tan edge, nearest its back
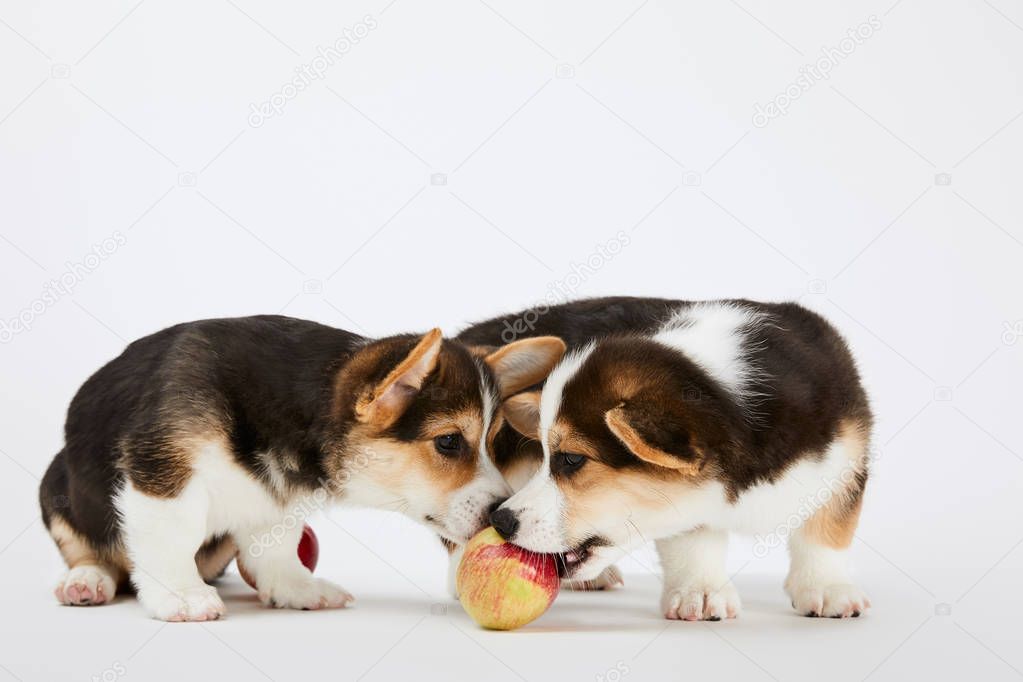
(656, 435)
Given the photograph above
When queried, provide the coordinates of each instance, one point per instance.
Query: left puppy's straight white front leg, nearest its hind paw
(162, 536)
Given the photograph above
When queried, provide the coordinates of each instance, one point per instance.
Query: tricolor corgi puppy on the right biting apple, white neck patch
(700, 420)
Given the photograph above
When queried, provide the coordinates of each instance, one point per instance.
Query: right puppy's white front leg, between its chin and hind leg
(696, 585)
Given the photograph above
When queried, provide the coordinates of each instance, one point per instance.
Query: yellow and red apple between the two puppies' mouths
(504, 586)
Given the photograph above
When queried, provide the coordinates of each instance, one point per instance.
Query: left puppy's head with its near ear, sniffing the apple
(418, 438)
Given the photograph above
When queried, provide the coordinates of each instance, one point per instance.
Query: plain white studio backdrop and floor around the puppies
(553, 127)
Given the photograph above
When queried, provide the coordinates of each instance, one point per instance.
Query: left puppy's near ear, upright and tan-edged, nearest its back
(391, 397)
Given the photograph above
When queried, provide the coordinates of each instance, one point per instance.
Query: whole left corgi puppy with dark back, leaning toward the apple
(215, 438)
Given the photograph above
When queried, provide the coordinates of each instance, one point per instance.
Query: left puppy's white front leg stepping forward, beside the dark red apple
(271, 556)
